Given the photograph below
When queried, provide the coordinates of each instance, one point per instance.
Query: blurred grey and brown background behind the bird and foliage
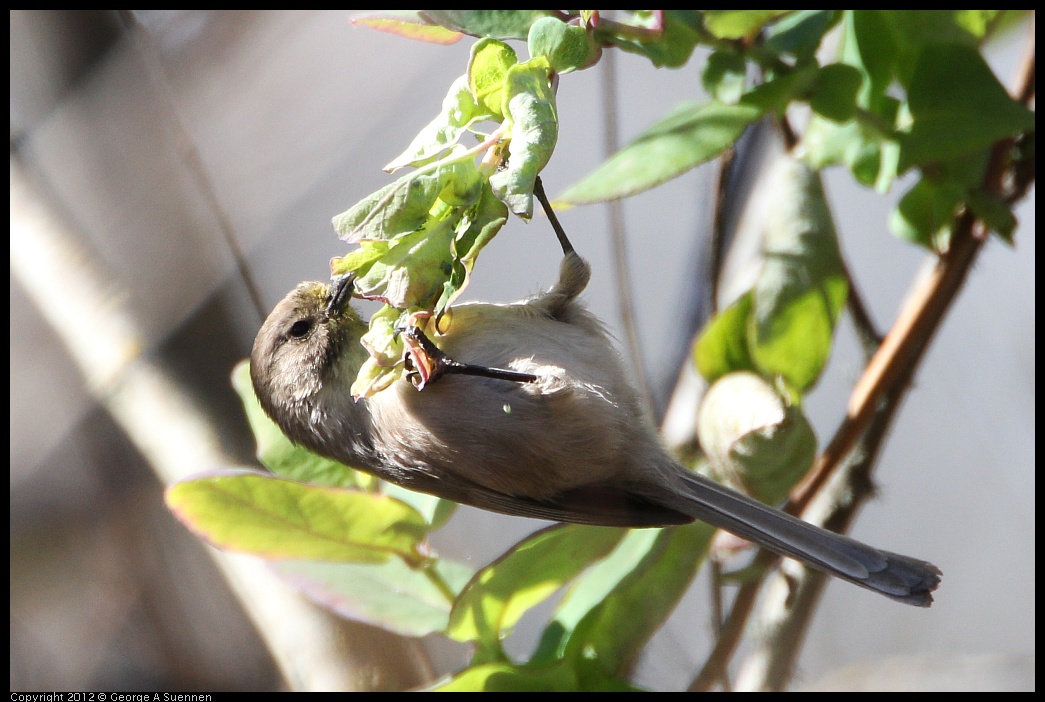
(178, 150)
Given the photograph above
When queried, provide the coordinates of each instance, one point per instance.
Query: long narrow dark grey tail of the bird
(904, 579)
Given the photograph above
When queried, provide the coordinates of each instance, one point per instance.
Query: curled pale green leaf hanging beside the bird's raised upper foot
(529, 110)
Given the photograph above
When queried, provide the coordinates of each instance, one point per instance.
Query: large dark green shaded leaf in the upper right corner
(958, 107)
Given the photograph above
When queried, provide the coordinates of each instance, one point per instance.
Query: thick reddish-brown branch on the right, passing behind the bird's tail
(845, 469)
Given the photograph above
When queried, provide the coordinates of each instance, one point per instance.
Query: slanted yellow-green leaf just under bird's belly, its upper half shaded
(527, 575)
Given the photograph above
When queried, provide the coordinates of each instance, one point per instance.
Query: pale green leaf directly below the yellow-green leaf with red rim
(406, 601)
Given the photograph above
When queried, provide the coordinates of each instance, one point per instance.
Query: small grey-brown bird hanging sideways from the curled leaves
(558, 433)
